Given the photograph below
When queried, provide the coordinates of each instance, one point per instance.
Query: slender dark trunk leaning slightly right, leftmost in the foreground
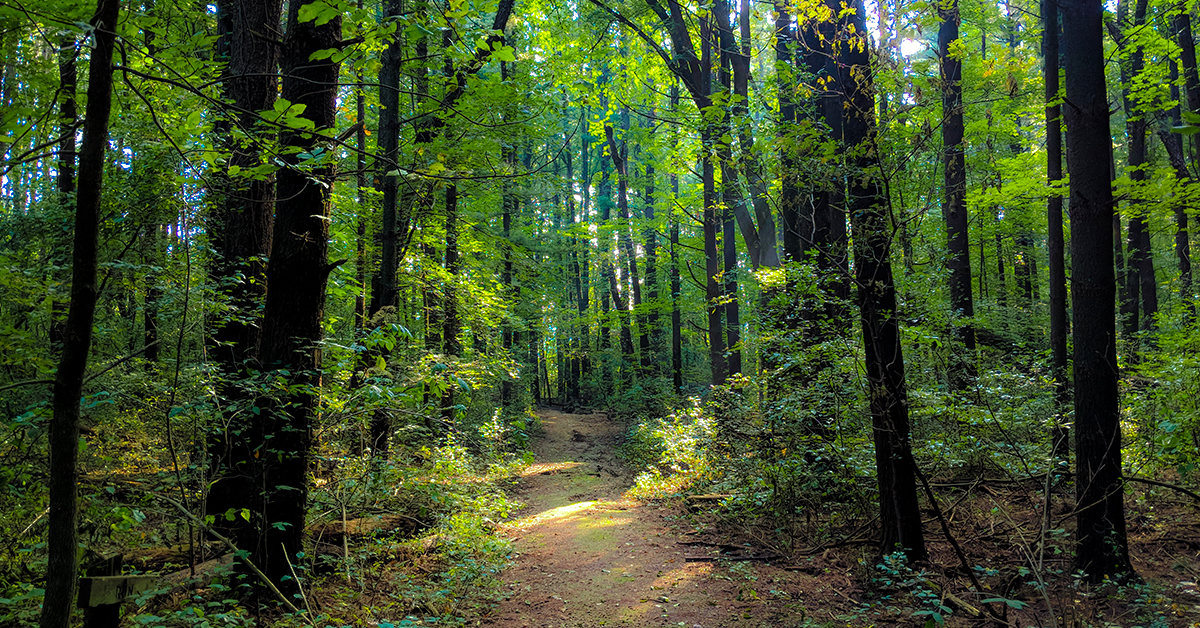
(63, 535)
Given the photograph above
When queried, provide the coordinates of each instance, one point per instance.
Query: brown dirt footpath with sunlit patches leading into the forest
(587, 558)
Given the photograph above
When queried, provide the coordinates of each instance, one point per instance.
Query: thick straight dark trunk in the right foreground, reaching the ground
(1101, 547)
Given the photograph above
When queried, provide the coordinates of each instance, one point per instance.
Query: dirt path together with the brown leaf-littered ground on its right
(587, 557)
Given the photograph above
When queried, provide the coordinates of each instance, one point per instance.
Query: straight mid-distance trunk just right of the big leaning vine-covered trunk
(955, 210)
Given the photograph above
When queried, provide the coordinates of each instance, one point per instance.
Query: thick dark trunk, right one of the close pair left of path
(296, 296)
